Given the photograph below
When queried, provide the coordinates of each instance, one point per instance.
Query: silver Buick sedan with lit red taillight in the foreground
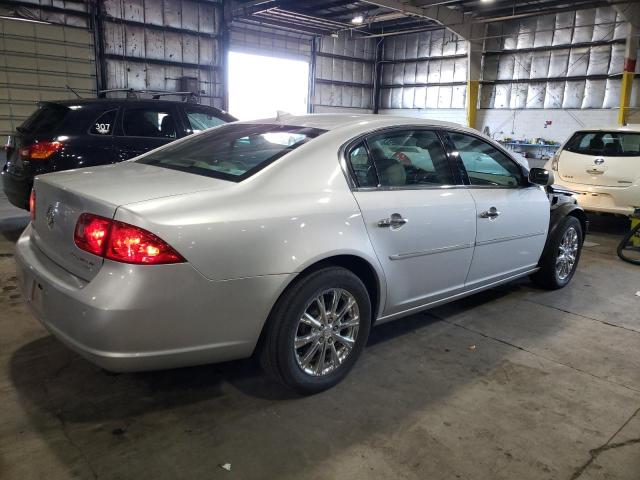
(288, 238)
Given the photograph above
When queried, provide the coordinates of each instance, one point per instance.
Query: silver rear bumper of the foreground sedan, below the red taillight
(133, 318)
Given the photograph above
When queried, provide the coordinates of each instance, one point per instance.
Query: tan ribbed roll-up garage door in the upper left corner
(37, 60)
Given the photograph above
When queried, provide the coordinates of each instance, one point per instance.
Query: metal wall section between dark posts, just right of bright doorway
(344, 73)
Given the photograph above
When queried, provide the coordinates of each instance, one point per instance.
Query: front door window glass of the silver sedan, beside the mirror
(485, 165)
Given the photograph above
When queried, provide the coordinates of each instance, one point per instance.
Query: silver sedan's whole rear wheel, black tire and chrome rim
(317, 330)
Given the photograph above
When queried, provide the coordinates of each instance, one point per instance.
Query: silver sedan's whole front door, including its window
(512, 215)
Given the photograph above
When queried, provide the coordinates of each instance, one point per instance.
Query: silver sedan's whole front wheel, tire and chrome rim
(560, 259)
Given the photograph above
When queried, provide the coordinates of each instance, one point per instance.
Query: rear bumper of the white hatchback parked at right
(618, 200)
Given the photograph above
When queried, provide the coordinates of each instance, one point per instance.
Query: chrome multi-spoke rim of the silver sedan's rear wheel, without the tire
(327, 332)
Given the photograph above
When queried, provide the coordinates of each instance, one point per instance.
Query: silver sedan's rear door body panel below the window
(427, 258)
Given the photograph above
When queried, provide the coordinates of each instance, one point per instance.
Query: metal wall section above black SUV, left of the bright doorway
(150, 44)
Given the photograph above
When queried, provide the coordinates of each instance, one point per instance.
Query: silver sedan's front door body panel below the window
(513, 240)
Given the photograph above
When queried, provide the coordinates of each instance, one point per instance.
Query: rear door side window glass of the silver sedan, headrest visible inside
(408, 158)
